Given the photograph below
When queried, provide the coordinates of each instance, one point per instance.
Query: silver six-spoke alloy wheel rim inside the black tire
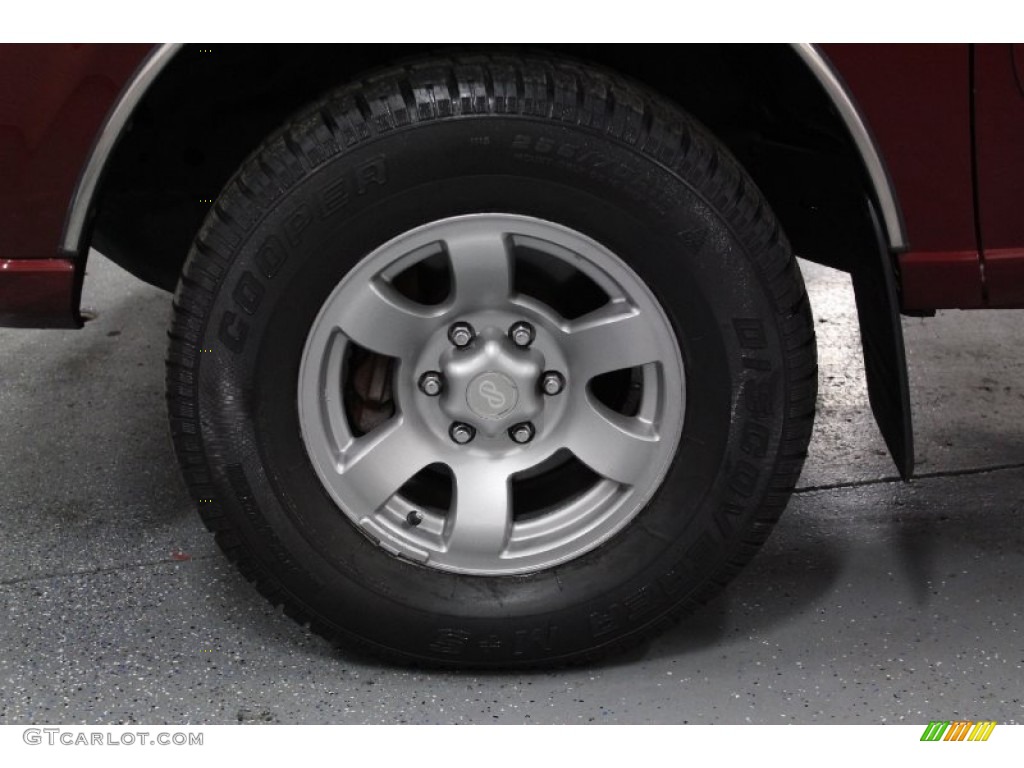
(494, 387)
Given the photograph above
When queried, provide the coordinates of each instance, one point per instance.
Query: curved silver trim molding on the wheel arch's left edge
(106, 142)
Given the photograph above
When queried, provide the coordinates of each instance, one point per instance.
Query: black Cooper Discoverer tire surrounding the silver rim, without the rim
(448, 137)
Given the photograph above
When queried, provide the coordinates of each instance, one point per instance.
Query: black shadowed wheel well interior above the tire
(208, 111)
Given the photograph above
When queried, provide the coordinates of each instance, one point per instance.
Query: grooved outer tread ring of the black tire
(445, 89)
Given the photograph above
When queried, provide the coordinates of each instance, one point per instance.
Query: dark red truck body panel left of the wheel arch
(54, 100)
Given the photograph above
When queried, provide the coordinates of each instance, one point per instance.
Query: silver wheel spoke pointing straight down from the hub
(483, 511)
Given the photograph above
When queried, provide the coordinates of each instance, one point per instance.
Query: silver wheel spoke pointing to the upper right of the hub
(612, 338)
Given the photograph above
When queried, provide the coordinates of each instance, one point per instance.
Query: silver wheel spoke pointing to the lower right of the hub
(616, 447)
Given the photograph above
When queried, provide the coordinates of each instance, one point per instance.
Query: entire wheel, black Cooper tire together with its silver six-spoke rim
(511, 364)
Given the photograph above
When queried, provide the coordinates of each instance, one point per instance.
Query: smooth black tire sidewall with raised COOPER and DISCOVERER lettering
(685, 248)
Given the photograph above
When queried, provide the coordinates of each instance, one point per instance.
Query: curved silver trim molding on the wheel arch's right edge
(837, 92)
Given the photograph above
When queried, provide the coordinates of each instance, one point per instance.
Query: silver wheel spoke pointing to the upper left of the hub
(378, 318)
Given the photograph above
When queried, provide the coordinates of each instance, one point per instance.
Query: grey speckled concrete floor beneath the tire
(874, 602)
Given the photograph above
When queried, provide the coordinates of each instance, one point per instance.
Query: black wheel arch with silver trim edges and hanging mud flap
(194, 114)
